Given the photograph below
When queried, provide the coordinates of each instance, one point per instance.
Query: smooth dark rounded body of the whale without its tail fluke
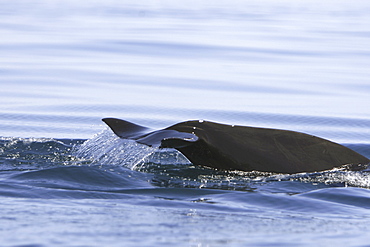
(261, 149)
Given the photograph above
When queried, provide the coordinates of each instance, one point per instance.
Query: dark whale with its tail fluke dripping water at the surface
(244, 148)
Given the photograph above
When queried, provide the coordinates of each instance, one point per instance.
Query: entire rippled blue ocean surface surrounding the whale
(67, 180)
